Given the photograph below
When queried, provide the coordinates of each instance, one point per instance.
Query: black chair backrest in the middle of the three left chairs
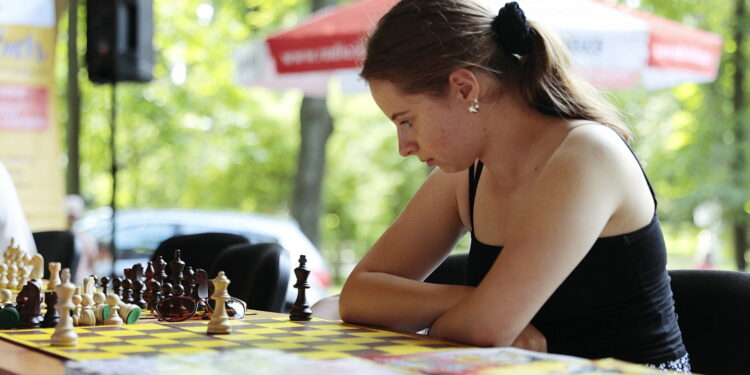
(197, 250)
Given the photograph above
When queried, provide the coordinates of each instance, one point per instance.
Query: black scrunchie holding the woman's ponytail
(514, 32)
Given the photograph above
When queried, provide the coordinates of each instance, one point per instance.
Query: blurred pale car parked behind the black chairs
(140, 231)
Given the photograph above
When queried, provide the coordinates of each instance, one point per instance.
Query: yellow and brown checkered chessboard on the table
(317, 338)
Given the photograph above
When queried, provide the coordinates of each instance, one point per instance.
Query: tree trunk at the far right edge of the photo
(739, 216)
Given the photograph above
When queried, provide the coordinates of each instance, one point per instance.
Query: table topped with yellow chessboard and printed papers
(318, 346)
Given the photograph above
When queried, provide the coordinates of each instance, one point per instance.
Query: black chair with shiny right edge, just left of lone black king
(259, 274)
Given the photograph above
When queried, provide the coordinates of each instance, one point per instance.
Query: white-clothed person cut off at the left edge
(13, 222)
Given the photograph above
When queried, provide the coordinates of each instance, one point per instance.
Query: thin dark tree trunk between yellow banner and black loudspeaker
(73, 178)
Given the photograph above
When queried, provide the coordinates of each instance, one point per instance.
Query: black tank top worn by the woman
(616, 303)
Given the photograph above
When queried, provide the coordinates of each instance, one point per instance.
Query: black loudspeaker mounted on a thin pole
(118, 40)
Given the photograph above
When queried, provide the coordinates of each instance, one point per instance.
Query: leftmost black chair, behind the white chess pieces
(58, 246)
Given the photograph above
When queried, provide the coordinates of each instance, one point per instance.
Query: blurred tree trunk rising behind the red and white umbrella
(316, 125)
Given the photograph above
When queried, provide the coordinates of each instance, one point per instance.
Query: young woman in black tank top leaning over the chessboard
(567, 252)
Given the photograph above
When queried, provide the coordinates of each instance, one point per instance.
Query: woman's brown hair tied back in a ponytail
(418, 43)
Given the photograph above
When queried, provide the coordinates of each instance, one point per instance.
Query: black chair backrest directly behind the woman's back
(713, 311)
